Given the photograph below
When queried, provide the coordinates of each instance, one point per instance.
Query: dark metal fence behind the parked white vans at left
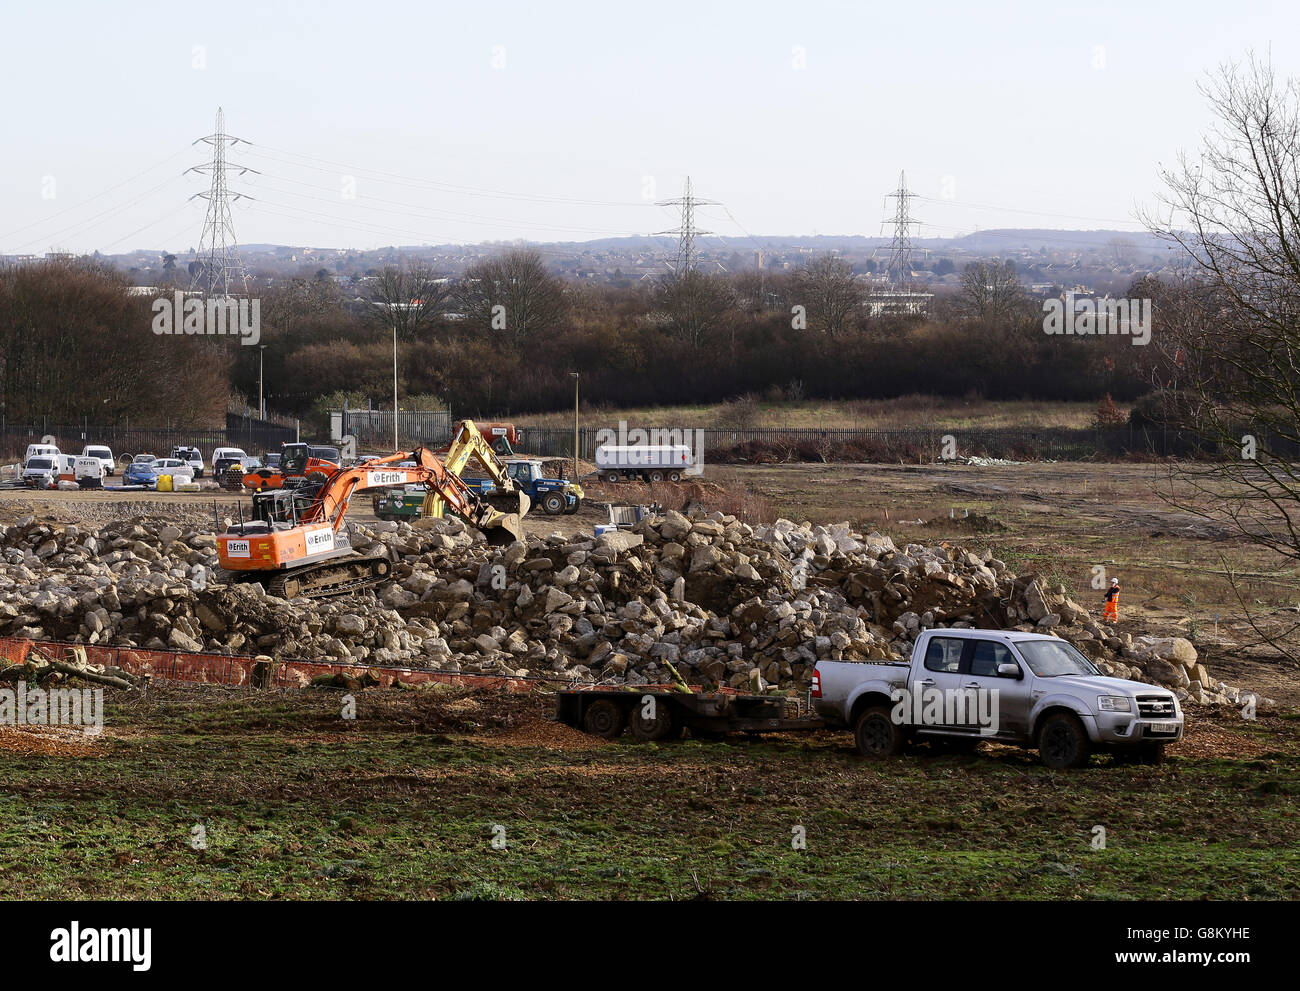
(246, 432)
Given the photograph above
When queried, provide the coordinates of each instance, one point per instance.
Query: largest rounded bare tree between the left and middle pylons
(513, 297)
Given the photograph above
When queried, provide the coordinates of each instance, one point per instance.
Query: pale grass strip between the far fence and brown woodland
(856, 414)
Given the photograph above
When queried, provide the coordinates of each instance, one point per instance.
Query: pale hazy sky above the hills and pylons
(428, 123)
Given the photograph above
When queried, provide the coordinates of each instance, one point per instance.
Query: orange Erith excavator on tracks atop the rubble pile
(297, 543)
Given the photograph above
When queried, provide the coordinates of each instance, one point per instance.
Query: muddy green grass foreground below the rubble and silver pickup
(406, 802)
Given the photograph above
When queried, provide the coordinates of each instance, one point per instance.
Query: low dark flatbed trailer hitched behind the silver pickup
(662, 712)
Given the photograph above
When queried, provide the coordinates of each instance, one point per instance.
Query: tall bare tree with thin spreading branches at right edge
(1234, 209)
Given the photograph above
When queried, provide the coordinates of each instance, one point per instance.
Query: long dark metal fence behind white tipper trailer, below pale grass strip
(722, 445)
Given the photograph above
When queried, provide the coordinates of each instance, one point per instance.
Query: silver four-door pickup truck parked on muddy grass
(965, 686)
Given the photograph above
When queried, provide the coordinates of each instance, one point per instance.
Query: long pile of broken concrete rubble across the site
(709, 598)
